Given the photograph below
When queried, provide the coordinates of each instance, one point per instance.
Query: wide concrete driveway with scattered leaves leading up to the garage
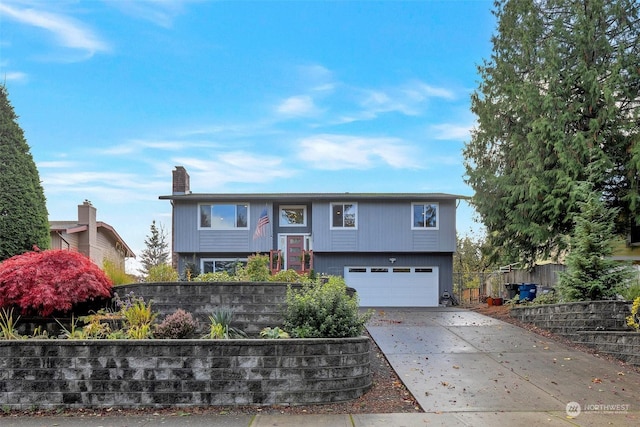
(462, 363)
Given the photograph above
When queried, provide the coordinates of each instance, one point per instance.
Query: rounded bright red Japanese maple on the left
(52, 280)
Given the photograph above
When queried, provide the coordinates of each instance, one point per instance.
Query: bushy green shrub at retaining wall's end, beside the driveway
(320, 310)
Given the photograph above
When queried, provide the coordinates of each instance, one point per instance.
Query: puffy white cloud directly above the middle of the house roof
(335, 152)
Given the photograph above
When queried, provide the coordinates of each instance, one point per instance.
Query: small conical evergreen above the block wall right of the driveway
(591, 273)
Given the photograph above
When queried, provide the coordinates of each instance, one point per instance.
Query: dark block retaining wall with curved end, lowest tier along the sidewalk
(161, 373)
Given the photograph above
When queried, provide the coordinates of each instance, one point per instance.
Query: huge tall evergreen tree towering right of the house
(559, 95)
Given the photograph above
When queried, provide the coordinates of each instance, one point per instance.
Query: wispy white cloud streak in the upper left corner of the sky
(67, 31)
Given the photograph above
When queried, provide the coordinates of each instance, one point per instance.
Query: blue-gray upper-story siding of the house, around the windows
(382, 226)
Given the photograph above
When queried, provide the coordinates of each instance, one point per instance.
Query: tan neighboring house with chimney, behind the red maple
(95, 239)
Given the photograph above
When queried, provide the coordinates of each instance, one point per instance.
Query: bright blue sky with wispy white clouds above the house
(248, 96)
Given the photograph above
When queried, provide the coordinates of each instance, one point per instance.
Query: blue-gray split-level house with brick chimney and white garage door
(394, 249)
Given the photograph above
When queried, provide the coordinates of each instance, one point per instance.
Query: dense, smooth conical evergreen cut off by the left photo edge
(24, 219)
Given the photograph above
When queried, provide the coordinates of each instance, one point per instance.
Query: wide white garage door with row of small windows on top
(394, 286)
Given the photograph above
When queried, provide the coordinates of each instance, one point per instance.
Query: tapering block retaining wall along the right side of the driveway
(598, 324)
